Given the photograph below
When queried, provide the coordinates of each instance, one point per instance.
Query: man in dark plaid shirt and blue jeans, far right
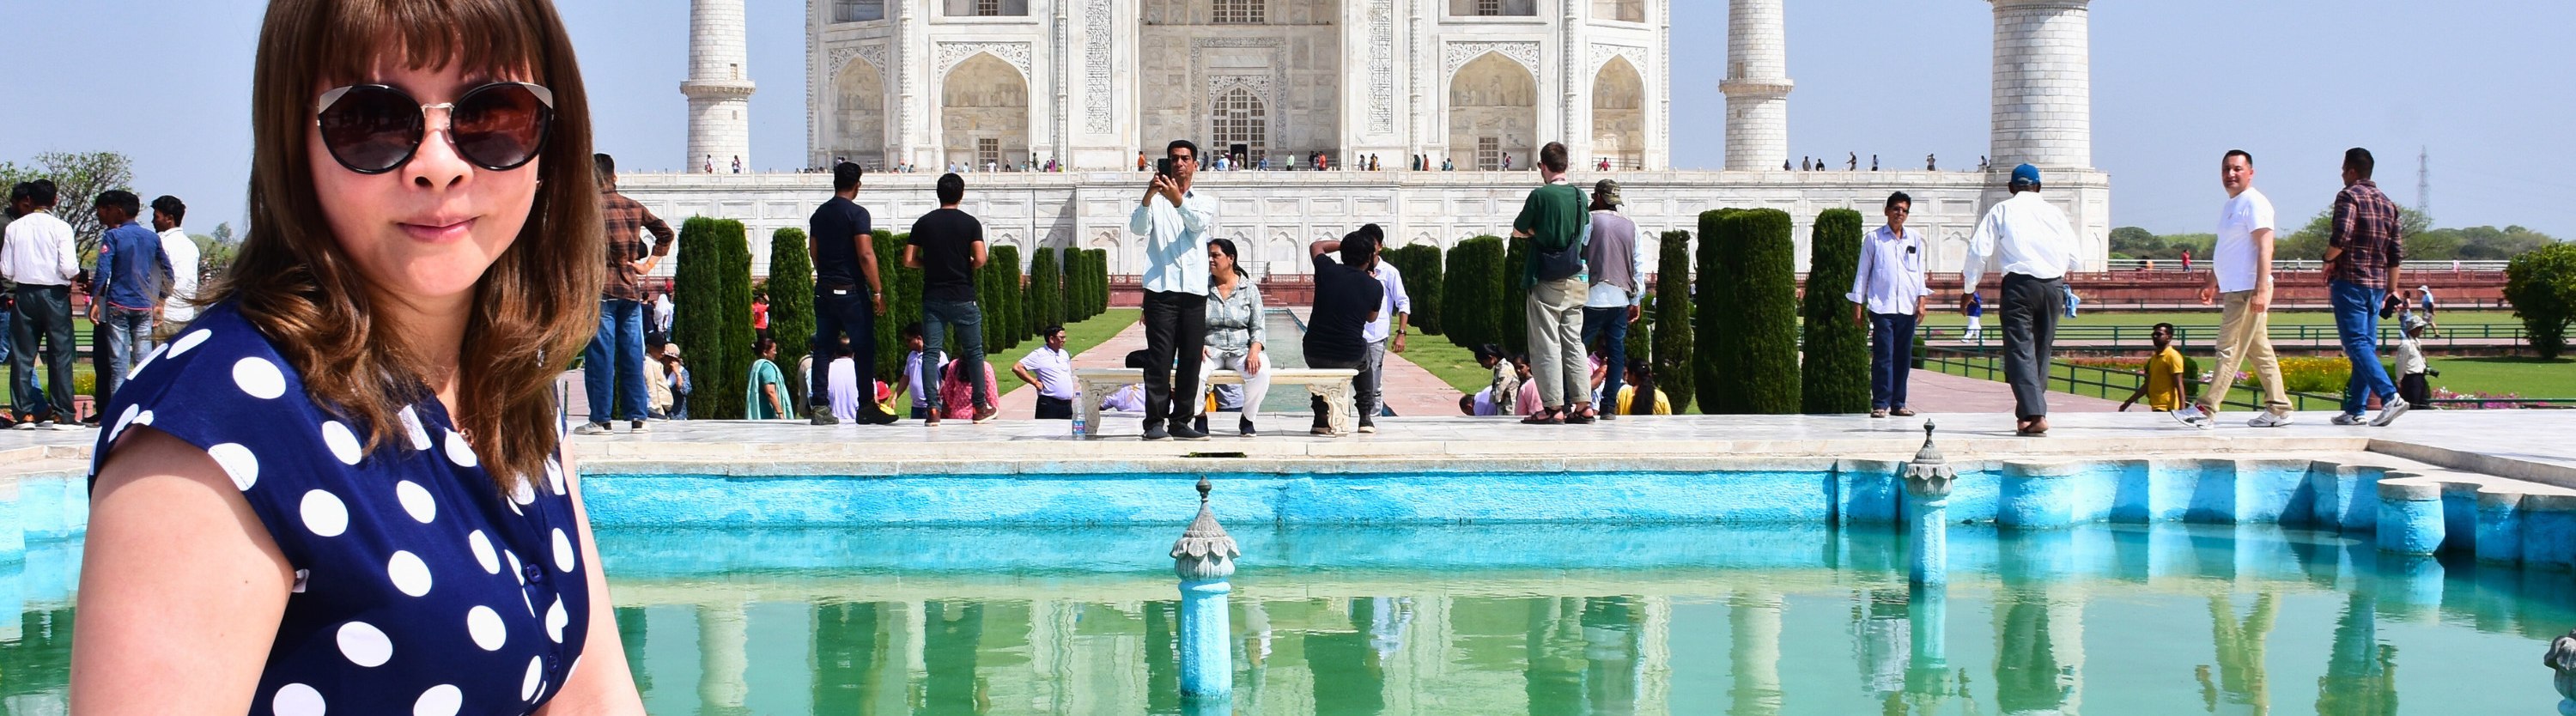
(2361, 272)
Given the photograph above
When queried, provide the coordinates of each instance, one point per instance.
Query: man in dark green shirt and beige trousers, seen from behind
(1555, 223)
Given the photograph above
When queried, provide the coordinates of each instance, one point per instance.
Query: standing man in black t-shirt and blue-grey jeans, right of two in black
(949, 249)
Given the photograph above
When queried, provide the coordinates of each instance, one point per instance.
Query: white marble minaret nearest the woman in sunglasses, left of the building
(720, 89)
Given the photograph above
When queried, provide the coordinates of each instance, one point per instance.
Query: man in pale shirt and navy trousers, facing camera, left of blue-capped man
(1889, 297)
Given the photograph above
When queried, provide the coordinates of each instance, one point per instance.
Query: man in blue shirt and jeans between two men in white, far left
(130, 290)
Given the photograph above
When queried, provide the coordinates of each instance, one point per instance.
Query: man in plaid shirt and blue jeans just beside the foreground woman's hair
(617, 352)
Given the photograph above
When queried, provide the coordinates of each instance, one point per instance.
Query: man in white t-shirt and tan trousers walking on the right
(2242, 277)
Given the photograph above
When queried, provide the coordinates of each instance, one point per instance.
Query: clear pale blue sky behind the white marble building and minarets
(2175, 84)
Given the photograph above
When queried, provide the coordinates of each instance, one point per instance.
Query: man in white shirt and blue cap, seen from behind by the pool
(2034, 246)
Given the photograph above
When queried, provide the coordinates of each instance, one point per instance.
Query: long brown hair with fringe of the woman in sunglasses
(535, 308)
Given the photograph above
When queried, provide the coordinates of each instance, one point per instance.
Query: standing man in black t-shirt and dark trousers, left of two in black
(844, 254)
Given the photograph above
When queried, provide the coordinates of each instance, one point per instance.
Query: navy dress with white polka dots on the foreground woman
(419, 589)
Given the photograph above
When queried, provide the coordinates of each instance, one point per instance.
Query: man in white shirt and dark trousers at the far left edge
(43, 261)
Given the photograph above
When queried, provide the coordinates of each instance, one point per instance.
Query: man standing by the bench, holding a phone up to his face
(1176, 225)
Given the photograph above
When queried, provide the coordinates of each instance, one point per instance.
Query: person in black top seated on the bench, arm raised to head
(1346, 303)
